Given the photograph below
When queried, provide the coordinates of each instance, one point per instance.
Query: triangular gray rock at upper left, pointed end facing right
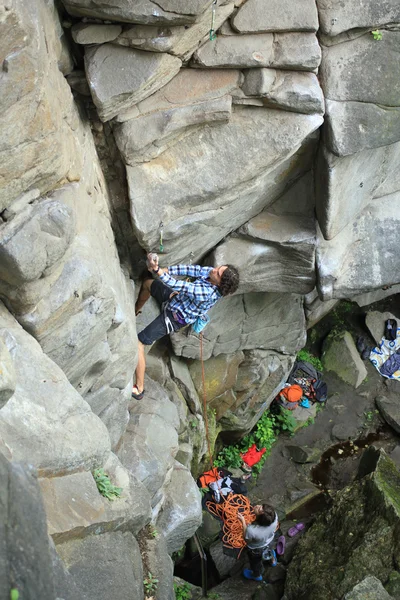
(113, 89)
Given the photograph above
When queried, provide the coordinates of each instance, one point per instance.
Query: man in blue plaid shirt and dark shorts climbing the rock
(182, 302)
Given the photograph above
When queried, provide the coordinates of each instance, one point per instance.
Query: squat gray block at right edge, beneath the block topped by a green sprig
(356, 126)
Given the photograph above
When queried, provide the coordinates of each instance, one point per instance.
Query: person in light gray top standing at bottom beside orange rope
(258, 537)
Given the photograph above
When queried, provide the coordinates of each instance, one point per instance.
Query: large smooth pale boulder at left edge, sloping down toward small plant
(46, 421)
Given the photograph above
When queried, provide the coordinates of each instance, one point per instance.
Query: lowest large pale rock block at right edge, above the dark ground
(344, 263)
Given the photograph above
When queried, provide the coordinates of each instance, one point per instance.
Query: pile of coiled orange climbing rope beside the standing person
(227, 511)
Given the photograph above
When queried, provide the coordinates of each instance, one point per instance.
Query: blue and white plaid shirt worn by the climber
(194, 299)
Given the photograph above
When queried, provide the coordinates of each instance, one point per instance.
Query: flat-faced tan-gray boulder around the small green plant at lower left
(75, 508)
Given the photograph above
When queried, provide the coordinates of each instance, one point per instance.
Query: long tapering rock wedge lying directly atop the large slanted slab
(147, 136)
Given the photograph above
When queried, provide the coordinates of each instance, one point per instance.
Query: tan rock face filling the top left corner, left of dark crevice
(43, 149)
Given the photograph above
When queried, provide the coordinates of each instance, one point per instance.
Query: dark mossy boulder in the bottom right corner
(363, 522)
